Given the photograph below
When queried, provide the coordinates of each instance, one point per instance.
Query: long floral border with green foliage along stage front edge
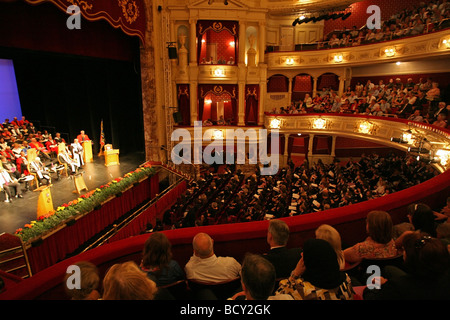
(84, 204)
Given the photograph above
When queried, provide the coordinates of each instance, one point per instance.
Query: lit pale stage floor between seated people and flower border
(19, 212)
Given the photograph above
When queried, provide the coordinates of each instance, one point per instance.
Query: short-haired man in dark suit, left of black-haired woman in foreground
(283, 259)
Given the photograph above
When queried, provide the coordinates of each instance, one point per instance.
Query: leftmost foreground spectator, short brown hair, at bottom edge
(88, 285)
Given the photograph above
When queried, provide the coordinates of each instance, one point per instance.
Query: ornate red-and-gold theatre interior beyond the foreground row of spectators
(213, 116)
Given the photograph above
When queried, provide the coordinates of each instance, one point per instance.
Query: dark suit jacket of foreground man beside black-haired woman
(284, 260)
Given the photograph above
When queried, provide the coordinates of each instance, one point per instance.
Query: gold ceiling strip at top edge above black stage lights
(286, 8)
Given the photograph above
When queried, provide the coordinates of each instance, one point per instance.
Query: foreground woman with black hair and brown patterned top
(317, 275)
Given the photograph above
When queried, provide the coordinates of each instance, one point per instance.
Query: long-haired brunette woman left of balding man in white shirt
(157, 260)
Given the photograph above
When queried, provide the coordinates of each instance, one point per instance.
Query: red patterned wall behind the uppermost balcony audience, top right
(359, 16)
